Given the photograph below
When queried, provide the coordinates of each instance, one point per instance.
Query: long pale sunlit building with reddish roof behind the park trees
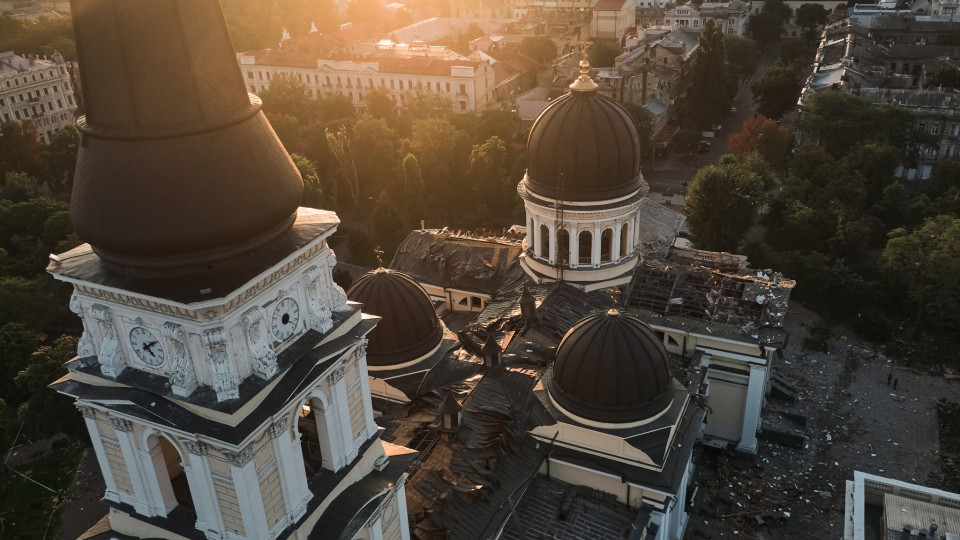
(396, 68)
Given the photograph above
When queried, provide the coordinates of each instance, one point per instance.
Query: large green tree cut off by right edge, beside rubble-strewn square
(926, 262)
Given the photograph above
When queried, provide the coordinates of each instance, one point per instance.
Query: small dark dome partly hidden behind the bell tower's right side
(409, 329)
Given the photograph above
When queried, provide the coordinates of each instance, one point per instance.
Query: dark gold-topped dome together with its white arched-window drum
(582, 190)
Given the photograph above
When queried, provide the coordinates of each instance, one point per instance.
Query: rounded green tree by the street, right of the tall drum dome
(722, 203)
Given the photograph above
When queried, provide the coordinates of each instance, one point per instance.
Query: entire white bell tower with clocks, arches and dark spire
(222, 374)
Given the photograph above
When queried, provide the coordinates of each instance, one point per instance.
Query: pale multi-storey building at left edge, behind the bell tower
(36, 90)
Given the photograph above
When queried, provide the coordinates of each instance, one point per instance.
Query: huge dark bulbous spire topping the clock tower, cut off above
(178, 169)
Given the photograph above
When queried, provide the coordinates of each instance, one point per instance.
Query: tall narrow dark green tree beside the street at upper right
(713, 84)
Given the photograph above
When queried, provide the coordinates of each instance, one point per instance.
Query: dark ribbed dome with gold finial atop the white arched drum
(584, 147)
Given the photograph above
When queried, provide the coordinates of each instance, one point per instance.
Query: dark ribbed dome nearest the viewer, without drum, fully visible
(611, 368)
